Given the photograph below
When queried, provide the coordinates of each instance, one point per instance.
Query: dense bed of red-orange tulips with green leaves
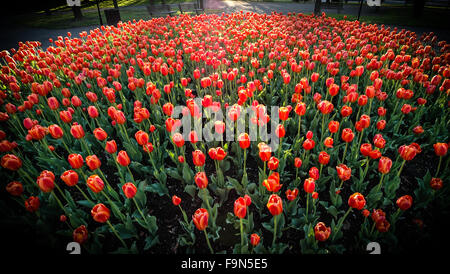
(90, 150)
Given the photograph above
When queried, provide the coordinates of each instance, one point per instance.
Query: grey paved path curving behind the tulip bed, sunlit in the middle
(10, 34)
